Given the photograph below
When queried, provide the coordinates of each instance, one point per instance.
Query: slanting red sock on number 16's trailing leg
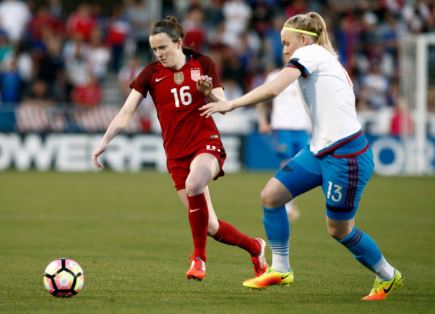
(228, 234)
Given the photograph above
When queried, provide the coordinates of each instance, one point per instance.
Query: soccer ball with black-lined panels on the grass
(63, 277)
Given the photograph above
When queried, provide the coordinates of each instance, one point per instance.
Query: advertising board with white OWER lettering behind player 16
(72, 152)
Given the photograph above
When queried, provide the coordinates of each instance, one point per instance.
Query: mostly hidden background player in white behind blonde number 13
(289, 124)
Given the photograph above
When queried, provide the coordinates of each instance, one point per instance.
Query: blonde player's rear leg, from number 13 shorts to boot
(344, 179)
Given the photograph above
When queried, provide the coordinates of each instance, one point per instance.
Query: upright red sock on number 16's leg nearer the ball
(198, 219)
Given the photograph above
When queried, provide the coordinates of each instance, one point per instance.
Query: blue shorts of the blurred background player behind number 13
(288, 143)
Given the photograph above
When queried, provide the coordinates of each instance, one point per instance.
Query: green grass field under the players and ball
(131, 236)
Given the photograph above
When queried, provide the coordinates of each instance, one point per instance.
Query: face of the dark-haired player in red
(165, 50)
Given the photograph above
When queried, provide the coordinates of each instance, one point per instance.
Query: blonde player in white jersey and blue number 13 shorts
(338, 157)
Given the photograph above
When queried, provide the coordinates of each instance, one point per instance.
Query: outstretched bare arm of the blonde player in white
(264, 92)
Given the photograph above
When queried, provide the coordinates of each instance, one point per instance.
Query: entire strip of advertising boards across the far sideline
(71, 152)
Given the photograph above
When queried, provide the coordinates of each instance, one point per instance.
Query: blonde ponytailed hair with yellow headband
(312, 22)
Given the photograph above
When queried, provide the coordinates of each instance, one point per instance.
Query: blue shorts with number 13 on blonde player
(343, 175)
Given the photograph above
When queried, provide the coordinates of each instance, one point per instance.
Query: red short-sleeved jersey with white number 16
(177, 101)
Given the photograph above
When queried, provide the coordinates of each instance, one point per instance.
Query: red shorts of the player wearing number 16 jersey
(179, 168)
